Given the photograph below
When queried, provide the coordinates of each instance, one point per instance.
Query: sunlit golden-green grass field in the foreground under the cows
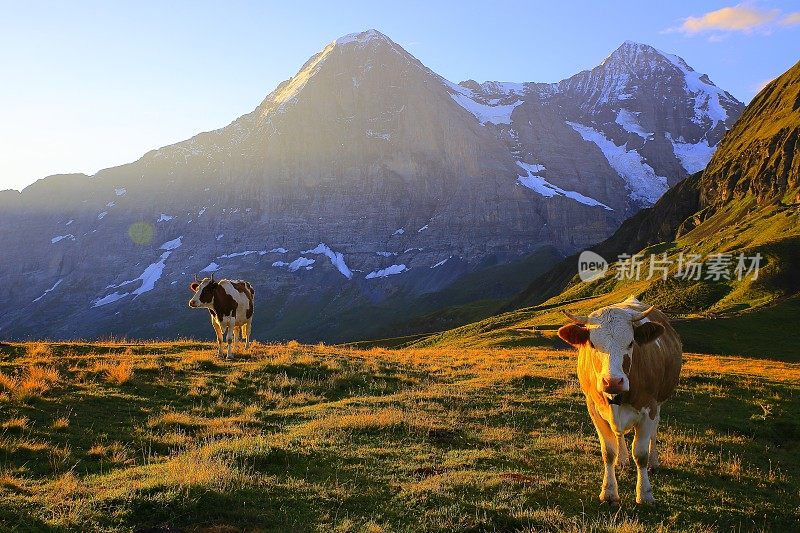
(165, 437)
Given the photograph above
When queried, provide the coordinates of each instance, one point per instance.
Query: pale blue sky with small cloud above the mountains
(87, 85)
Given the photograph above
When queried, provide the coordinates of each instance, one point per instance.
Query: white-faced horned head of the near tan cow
(607, 337)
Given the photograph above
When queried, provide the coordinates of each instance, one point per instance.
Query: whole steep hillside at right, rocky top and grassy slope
(746, 202)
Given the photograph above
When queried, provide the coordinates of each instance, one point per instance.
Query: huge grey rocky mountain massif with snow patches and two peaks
(356, 192)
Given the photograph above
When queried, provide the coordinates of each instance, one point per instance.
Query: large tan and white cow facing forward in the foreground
(629, 361)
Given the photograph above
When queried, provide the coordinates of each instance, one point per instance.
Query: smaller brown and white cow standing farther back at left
(230, 304)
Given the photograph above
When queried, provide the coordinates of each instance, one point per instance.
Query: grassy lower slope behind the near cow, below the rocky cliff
(733, 317)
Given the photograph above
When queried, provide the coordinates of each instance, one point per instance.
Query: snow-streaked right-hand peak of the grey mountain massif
(647, 116)
